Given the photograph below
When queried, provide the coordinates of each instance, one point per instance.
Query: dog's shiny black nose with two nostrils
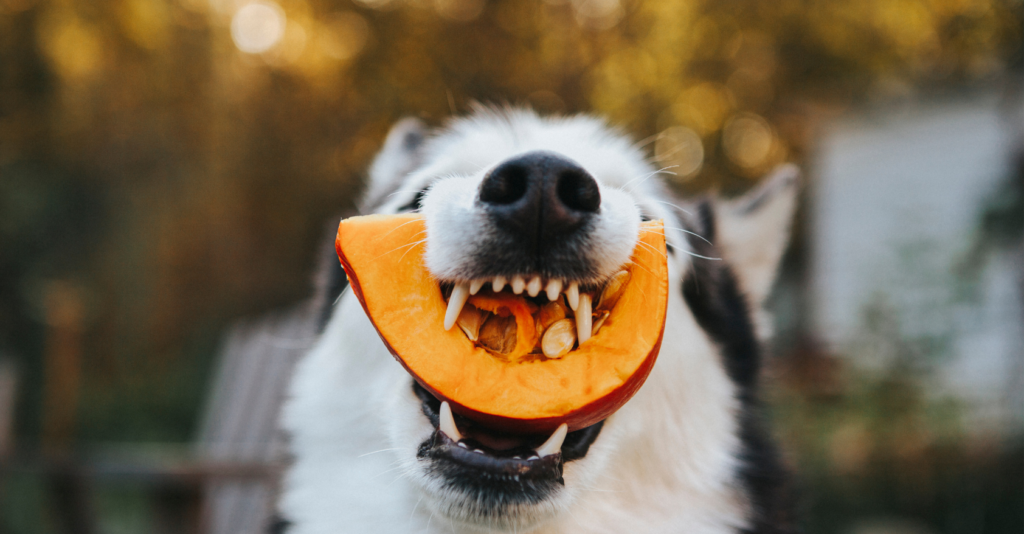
(540, 196)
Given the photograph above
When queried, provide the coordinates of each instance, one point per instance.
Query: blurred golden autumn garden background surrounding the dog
(170, 168)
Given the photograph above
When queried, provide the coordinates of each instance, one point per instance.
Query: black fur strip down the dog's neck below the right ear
(713, 295)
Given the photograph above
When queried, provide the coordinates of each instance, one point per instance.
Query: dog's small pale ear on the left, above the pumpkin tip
(402, 153)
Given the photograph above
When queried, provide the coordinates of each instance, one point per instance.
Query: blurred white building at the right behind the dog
(897, 206)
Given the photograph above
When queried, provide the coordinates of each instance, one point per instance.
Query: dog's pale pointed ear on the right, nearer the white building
(753, 231)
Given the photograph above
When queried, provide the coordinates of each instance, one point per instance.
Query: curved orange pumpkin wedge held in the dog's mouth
(383, 258)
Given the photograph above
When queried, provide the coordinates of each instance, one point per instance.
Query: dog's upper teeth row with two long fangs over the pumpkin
(554, 287)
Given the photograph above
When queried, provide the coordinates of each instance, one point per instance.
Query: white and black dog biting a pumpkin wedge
(508, 193)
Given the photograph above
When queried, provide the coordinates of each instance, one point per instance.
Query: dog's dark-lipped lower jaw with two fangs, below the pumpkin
(504, 458)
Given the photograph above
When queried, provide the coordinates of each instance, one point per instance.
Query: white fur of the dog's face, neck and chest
(665, 463)
